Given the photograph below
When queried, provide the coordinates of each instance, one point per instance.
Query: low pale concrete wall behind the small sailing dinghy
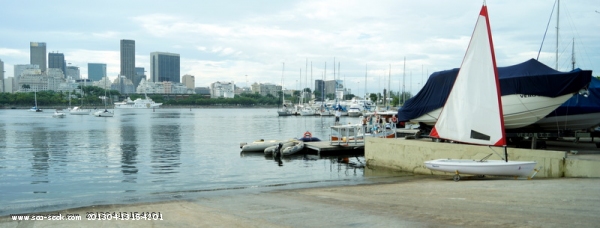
(410, 155)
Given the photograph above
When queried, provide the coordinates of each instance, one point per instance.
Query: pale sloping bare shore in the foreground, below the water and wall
(421, 201)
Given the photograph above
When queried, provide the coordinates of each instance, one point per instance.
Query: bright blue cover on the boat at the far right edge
(580, 104)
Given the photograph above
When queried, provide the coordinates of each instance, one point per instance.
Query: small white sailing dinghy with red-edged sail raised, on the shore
(473, 111)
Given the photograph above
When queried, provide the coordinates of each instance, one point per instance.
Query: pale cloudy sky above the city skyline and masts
(250, 41)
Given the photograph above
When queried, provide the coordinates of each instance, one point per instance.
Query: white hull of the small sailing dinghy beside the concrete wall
(488, 167)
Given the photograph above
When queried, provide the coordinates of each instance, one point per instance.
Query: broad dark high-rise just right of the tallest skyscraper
(164, 67)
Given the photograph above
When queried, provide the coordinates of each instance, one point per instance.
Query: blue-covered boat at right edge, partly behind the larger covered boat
(581, 112)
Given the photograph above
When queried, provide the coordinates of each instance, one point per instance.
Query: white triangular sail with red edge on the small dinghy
(473, 111)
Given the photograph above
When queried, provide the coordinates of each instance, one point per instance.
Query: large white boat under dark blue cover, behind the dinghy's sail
(530, 91)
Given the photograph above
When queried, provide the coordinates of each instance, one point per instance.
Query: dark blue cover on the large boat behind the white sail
(528, 78)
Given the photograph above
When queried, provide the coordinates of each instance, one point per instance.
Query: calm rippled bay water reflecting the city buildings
(145, 155)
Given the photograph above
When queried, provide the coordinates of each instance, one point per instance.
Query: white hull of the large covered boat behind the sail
(519, 110)
